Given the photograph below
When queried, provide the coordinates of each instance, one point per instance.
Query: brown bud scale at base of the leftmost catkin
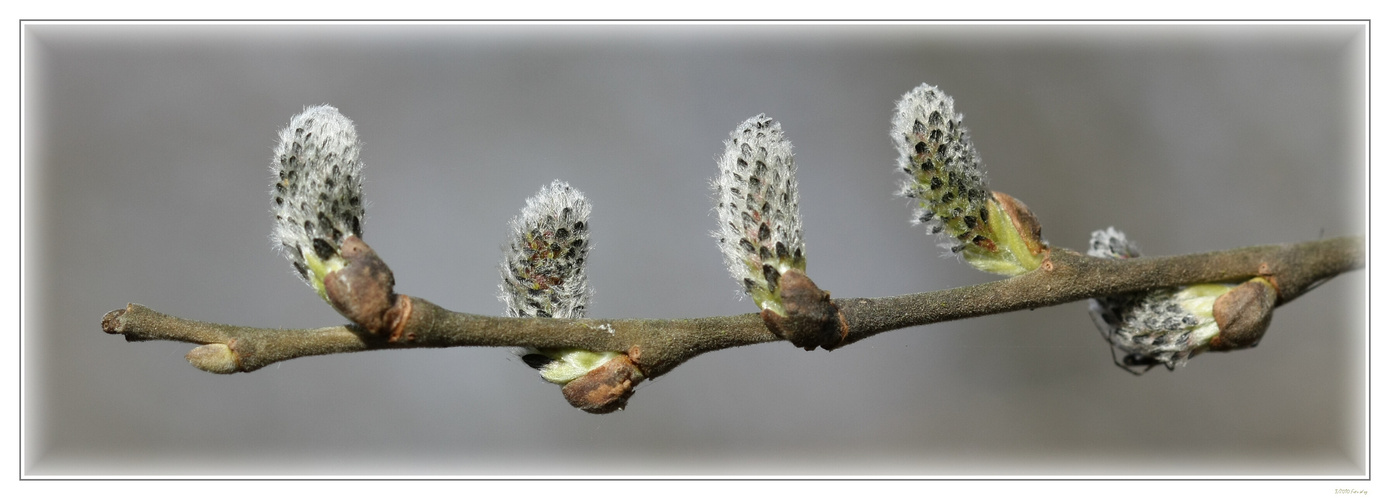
(363, 291)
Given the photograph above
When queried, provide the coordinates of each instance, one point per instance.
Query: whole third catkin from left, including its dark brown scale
(760, 235)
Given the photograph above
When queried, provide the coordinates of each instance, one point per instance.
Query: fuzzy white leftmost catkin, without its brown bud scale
(316, 194)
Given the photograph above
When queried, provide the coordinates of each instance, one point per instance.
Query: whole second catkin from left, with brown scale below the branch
(544, 277)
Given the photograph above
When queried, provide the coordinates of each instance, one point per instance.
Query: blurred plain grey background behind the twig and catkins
(148, 180)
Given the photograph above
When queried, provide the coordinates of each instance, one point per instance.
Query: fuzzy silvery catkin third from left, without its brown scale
(760, 222)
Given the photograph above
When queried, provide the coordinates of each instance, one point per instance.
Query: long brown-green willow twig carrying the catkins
(661, 345)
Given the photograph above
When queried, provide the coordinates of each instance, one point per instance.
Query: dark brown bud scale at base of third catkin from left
(812, 320)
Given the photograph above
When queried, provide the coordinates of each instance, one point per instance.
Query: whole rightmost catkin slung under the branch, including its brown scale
(1171, 326)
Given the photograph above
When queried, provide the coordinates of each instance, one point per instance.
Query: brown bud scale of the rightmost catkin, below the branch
(1243, 316)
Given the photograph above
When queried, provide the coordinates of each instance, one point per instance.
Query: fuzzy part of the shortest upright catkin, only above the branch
(543, 270)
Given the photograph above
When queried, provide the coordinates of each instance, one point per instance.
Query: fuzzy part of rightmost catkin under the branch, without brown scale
(1166, 326)
